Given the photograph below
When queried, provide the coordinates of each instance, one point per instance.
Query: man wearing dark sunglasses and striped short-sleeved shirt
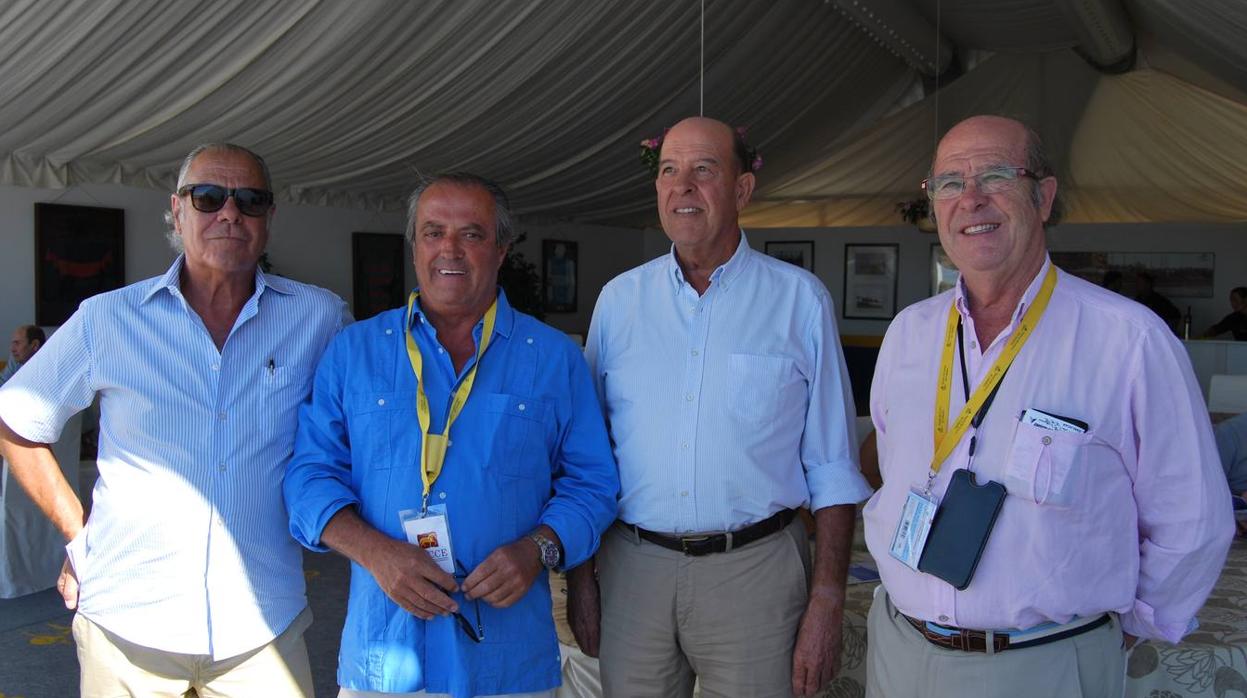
(185, 576)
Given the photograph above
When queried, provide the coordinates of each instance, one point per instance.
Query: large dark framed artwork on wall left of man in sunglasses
(80, 251)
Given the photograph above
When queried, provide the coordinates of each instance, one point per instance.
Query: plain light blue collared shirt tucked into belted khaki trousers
(729, 407)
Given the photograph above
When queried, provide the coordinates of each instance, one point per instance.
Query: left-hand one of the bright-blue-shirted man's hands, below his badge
(412, 579)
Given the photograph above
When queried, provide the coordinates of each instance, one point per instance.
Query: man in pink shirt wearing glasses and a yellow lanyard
(1088, 507)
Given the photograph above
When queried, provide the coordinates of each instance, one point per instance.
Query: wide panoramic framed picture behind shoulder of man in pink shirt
(1182, 275)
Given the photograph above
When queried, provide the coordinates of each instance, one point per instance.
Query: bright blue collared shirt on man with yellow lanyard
(529, 448)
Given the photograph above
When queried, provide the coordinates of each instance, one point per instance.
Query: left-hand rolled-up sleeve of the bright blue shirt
(319, 477)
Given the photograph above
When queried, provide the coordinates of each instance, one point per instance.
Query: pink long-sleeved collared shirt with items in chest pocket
(1132, 517)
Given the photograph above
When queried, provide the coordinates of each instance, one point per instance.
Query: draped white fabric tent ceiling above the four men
(349, 100)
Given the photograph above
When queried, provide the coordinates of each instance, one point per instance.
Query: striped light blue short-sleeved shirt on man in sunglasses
(186, 549)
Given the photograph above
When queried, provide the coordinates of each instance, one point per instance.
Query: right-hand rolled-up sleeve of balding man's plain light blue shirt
(829, 446)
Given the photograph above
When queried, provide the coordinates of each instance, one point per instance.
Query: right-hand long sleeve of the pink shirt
(1185, 515)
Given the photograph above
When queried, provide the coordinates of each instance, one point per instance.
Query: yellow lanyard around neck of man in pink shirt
(948, 437)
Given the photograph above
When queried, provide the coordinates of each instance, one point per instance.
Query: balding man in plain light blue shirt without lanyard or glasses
(729, 407)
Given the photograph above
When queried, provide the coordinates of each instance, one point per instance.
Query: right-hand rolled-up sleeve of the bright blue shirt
(585, 477)
